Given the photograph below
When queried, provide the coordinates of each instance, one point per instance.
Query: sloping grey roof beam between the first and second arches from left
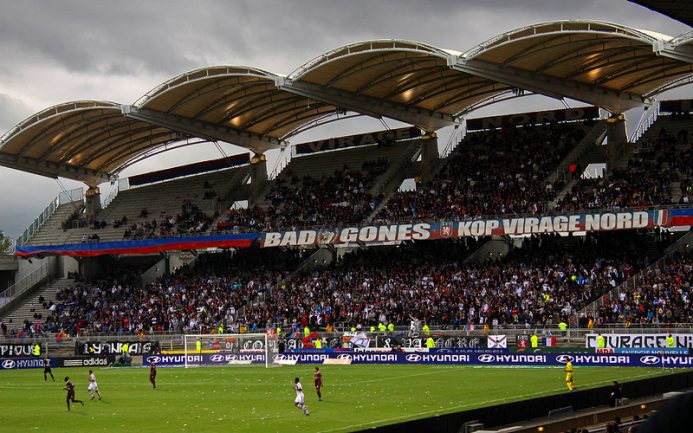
(255, 142)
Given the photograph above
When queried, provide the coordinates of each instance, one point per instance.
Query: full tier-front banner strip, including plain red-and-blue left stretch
(586, 222)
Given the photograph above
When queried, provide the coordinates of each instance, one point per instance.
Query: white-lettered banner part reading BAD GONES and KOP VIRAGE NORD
(589, 222)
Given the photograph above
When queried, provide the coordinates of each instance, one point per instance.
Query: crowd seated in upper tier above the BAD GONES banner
(496, 172)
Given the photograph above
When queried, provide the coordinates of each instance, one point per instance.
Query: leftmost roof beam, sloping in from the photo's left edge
(53, 169)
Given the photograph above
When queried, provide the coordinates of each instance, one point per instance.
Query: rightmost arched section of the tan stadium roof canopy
(604, 64)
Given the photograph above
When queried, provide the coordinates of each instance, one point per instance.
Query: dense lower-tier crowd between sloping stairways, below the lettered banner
(543, 282)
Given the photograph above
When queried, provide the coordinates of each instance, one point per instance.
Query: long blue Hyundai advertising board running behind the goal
(438, 357)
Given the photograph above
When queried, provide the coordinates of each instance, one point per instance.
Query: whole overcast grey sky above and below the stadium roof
(57, 51)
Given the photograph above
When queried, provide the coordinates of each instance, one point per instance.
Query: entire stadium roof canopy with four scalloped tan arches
(604, 64)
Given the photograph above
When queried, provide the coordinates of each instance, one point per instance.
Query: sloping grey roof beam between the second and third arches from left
(369, 106)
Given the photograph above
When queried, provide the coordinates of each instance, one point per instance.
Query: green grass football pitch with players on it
(255, 399)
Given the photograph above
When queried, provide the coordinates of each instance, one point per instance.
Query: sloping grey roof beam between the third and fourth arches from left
(611, 100)
